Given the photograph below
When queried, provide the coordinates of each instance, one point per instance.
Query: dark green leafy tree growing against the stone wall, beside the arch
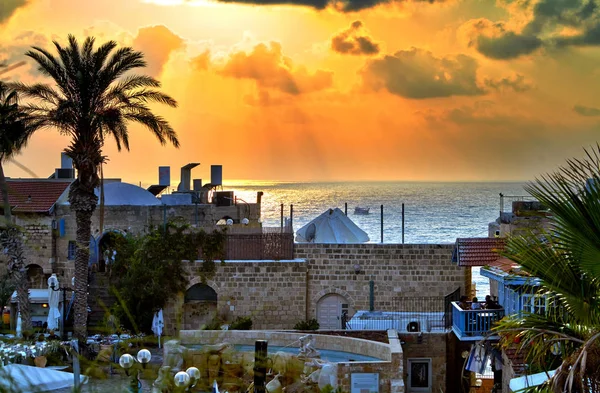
(149, 271)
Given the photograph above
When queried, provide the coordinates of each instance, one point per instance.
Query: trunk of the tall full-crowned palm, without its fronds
(83, 202)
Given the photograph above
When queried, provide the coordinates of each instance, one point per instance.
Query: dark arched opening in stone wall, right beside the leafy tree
(200, 306)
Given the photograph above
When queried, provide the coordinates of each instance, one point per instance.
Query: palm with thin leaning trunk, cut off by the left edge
(15, 130)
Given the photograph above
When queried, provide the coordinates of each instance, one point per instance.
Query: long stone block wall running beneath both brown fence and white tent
(278, 294)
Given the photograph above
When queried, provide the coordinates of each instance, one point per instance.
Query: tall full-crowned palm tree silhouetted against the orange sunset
(94, 97)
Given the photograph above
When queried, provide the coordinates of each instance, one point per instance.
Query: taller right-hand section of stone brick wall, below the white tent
(396, 269)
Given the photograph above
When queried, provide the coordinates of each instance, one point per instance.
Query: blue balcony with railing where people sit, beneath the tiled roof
(473, 325)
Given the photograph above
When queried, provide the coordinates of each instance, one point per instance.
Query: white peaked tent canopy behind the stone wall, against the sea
(333, 226)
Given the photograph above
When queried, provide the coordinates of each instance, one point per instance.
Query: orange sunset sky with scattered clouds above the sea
(326, 90)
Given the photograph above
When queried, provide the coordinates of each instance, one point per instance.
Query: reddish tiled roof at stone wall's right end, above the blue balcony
(478, 251)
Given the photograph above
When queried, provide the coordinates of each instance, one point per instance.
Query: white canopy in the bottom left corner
(25, 379)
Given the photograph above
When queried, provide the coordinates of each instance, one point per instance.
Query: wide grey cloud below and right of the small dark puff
(418, 74)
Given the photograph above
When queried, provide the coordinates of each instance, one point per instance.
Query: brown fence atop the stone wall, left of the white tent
(258, 244)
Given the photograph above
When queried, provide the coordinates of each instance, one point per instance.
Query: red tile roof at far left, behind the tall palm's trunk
(34, 196)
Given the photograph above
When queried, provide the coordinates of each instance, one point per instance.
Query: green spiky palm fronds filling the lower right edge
(567, 261)
